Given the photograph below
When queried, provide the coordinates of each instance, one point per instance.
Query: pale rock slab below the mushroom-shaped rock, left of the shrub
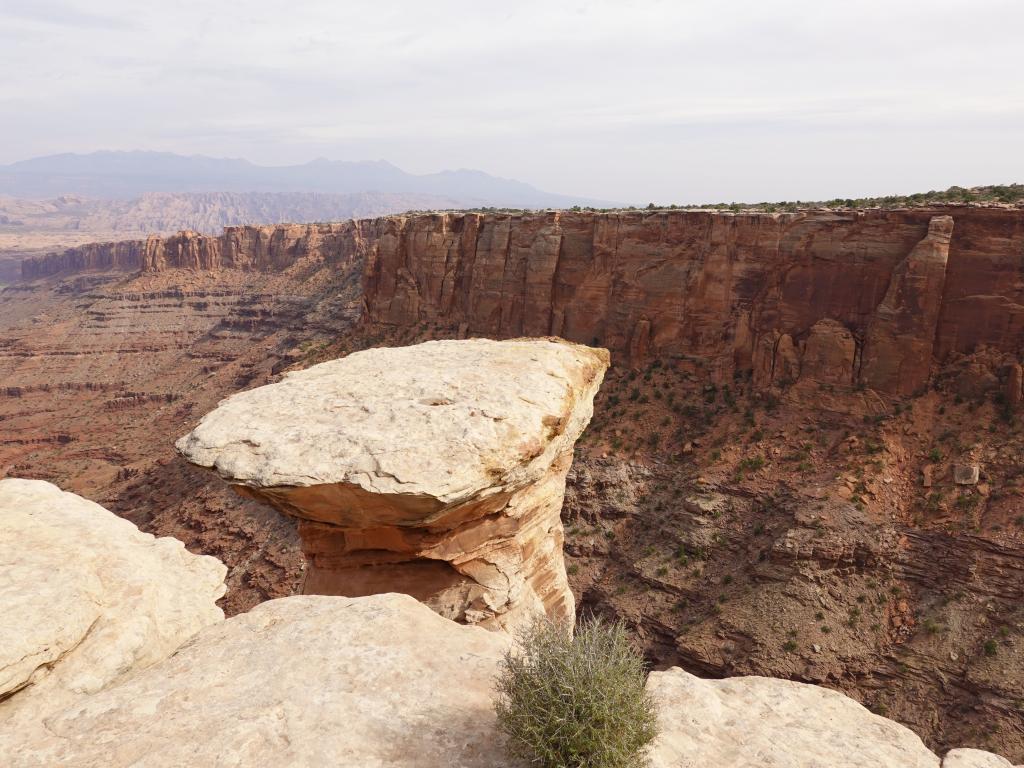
(301, 681)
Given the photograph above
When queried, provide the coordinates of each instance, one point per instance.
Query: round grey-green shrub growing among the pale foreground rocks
(576, 702)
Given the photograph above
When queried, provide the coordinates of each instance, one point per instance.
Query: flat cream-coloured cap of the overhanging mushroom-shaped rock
(442, 422)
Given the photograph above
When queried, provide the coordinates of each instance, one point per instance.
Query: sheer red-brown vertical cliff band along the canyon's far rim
(874, 297)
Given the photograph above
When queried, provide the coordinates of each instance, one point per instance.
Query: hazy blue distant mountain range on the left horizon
(131, 175)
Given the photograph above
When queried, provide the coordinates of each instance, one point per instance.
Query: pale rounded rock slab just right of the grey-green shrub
(756, 722)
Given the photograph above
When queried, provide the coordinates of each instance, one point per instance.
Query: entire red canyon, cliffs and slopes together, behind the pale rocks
(806, 460)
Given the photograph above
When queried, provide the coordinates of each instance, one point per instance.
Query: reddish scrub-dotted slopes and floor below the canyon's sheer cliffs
(785, 531)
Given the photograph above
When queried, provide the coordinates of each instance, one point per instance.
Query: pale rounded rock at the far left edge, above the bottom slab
(87, 599)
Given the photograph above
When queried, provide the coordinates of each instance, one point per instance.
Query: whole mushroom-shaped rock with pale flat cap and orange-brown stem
(437, 471)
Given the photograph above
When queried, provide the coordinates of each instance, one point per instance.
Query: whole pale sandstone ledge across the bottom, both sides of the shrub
(131, 662)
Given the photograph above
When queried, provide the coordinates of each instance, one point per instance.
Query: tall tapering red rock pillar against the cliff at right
(902, 334)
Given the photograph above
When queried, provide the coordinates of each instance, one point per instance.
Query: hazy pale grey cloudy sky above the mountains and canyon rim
(633, 102)
